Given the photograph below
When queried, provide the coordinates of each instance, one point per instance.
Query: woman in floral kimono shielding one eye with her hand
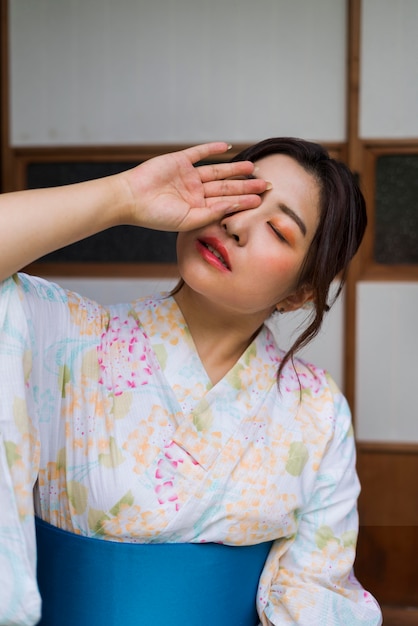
(176, 419)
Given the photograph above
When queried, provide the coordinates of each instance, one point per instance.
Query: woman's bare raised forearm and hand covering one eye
(164, 193)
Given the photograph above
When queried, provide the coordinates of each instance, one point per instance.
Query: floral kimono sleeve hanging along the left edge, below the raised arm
(19, 454)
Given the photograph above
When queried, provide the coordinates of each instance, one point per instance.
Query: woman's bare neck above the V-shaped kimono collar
(220, 336)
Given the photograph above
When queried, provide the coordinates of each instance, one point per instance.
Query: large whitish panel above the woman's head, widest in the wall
(136, 71)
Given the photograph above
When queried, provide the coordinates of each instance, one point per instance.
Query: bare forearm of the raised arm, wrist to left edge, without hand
(36, 222)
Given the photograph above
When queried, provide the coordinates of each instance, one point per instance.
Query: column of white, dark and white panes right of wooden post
(387, 308)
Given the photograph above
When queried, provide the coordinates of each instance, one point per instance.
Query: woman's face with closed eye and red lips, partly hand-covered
(250, 261)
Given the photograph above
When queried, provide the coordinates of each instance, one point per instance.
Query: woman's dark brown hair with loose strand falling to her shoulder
(342, 222)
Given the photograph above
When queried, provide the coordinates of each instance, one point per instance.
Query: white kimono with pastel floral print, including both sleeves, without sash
(110, 421)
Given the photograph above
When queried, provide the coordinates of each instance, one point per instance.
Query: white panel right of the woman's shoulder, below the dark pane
(386, 362)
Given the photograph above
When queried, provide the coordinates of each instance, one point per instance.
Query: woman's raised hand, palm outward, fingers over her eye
(170, 193)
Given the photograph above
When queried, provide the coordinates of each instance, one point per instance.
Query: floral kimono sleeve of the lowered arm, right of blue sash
(309, 577)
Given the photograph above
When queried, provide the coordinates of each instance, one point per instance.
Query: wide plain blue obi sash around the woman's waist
(86, 581)
